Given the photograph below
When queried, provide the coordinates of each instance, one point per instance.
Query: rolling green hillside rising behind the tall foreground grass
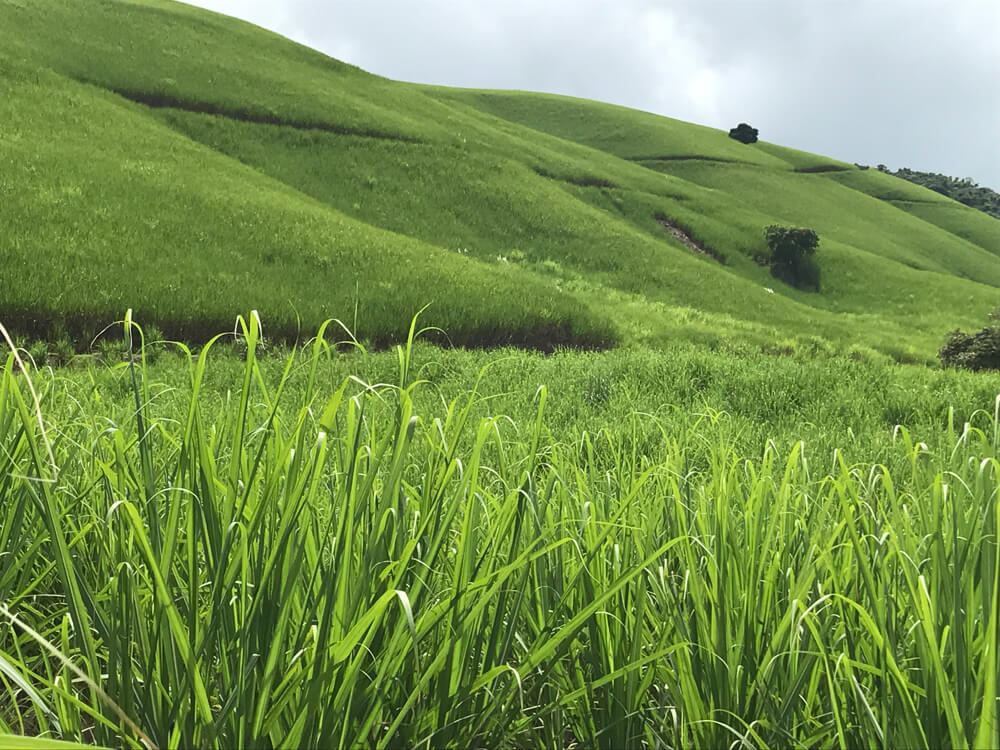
(192, 166)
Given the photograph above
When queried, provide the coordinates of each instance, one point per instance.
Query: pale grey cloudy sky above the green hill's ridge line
(912, 83)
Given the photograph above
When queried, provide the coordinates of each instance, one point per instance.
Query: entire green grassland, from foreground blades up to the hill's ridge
(498, 460)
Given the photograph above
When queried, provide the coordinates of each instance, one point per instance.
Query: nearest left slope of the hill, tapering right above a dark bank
(189, 253)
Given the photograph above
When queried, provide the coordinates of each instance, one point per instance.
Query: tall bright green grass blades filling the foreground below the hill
(306, 562)
